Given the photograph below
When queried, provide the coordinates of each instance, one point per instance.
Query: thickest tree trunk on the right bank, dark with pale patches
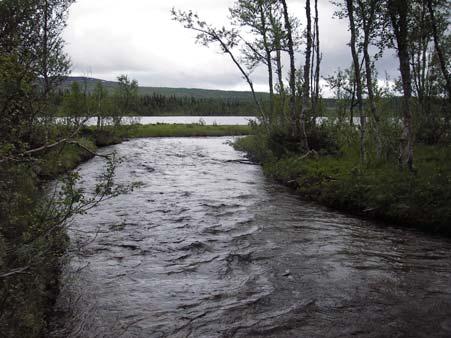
(399, 11)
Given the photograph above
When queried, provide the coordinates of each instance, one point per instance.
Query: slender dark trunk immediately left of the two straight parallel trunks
(292, 82)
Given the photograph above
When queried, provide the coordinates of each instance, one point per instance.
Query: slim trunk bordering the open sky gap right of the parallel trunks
(357, 77)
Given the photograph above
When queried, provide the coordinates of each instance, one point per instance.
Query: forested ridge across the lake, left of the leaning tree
(150, 101)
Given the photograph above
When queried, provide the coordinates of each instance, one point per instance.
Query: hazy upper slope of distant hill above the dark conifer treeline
(165, 91)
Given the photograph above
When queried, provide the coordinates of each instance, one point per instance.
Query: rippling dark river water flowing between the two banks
(207, 247)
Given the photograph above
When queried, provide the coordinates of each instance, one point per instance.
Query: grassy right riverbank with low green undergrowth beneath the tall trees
(420, 200)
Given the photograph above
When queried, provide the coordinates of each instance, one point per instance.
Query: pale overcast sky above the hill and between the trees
(106, 38)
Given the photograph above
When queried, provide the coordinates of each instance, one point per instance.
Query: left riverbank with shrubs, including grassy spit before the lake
(27, 297)
